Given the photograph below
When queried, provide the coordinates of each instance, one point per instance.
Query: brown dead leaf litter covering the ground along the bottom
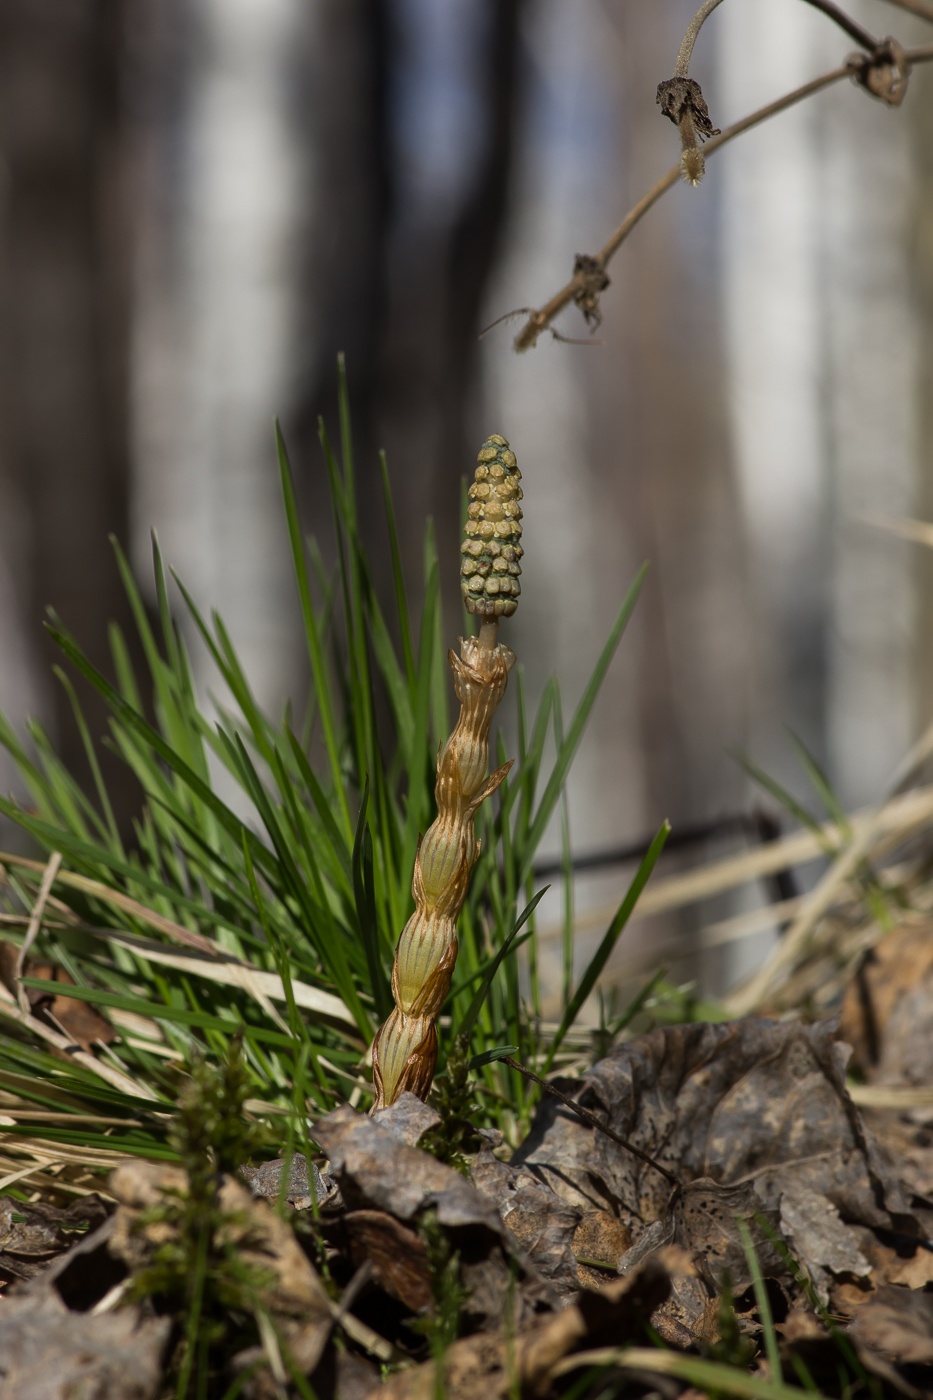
(569, 1248)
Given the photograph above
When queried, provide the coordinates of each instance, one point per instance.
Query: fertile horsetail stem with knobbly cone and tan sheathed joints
(406, 1048)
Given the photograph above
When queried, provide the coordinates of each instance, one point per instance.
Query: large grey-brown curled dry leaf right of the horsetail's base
(746, 1114)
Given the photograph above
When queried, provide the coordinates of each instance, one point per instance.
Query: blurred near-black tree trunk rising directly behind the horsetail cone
(396, 286)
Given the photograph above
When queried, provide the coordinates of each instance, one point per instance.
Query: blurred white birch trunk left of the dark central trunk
(216, 334)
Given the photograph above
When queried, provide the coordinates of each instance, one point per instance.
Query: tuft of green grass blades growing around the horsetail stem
(268, 874)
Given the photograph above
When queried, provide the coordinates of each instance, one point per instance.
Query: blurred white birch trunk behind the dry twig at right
(823, 367)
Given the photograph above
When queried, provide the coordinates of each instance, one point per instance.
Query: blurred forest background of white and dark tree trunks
(204, 201)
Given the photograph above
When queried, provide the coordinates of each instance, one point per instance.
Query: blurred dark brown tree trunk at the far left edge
(64, 324)
